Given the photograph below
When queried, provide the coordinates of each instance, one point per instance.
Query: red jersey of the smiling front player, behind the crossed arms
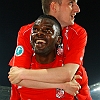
(23, 93)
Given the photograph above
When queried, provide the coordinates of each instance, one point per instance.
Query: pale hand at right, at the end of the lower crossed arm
(72, 87)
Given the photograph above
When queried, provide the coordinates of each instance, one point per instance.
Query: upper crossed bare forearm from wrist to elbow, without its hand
(59, 74)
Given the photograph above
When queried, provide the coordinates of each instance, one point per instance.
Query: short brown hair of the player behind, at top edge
(46, 5)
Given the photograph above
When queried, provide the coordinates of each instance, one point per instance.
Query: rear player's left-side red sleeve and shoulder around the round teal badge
(23, 40)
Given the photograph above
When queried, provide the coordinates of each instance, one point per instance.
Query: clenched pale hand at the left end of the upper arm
(15, 75)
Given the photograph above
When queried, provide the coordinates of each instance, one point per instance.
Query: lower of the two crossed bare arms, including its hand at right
(69, 87)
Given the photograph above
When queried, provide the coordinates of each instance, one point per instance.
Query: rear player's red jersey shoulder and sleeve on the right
(74, 41)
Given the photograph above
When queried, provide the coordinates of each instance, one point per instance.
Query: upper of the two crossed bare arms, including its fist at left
(52, 75)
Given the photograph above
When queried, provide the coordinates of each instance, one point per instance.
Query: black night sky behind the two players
(16, 13)
